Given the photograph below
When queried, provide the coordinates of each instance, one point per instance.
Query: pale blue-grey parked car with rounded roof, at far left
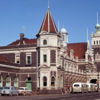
(9, 90)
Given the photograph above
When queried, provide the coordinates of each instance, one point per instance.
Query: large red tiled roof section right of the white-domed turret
(79, 49)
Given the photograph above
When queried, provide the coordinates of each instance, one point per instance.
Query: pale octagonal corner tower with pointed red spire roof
(48, 45)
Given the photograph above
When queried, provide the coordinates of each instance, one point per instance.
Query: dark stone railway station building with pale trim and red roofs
(49, 62)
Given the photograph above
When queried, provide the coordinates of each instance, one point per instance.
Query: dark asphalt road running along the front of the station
(88, 96)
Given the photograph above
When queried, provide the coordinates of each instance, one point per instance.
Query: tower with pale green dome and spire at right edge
(96, 45)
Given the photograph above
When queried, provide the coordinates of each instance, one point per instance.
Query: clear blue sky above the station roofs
(18, 16)
